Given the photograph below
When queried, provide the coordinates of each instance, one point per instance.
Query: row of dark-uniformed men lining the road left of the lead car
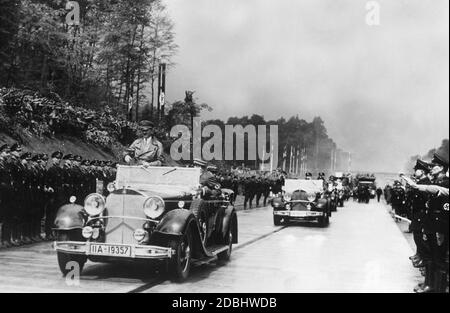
(34, 186)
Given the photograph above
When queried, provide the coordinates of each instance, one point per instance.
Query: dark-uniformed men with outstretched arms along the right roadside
(427, 200)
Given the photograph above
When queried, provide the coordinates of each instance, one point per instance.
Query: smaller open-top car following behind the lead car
(301, 200)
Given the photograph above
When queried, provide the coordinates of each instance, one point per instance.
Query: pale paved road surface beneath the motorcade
(362, 250)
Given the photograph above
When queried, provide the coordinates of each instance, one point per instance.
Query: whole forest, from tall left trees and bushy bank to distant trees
(58, 78)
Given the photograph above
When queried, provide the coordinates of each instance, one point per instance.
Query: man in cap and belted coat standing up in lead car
(146, 150)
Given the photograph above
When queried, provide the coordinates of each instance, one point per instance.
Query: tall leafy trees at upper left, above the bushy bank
(110, 59)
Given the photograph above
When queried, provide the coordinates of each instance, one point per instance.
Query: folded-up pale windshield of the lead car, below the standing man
(173, 176)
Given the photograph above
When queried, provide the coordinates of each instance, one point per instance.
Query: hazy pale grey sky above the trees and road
(381, 90)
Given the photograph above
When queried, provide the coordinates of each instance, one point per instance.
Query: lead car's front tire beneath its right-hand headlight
(180, 263)
